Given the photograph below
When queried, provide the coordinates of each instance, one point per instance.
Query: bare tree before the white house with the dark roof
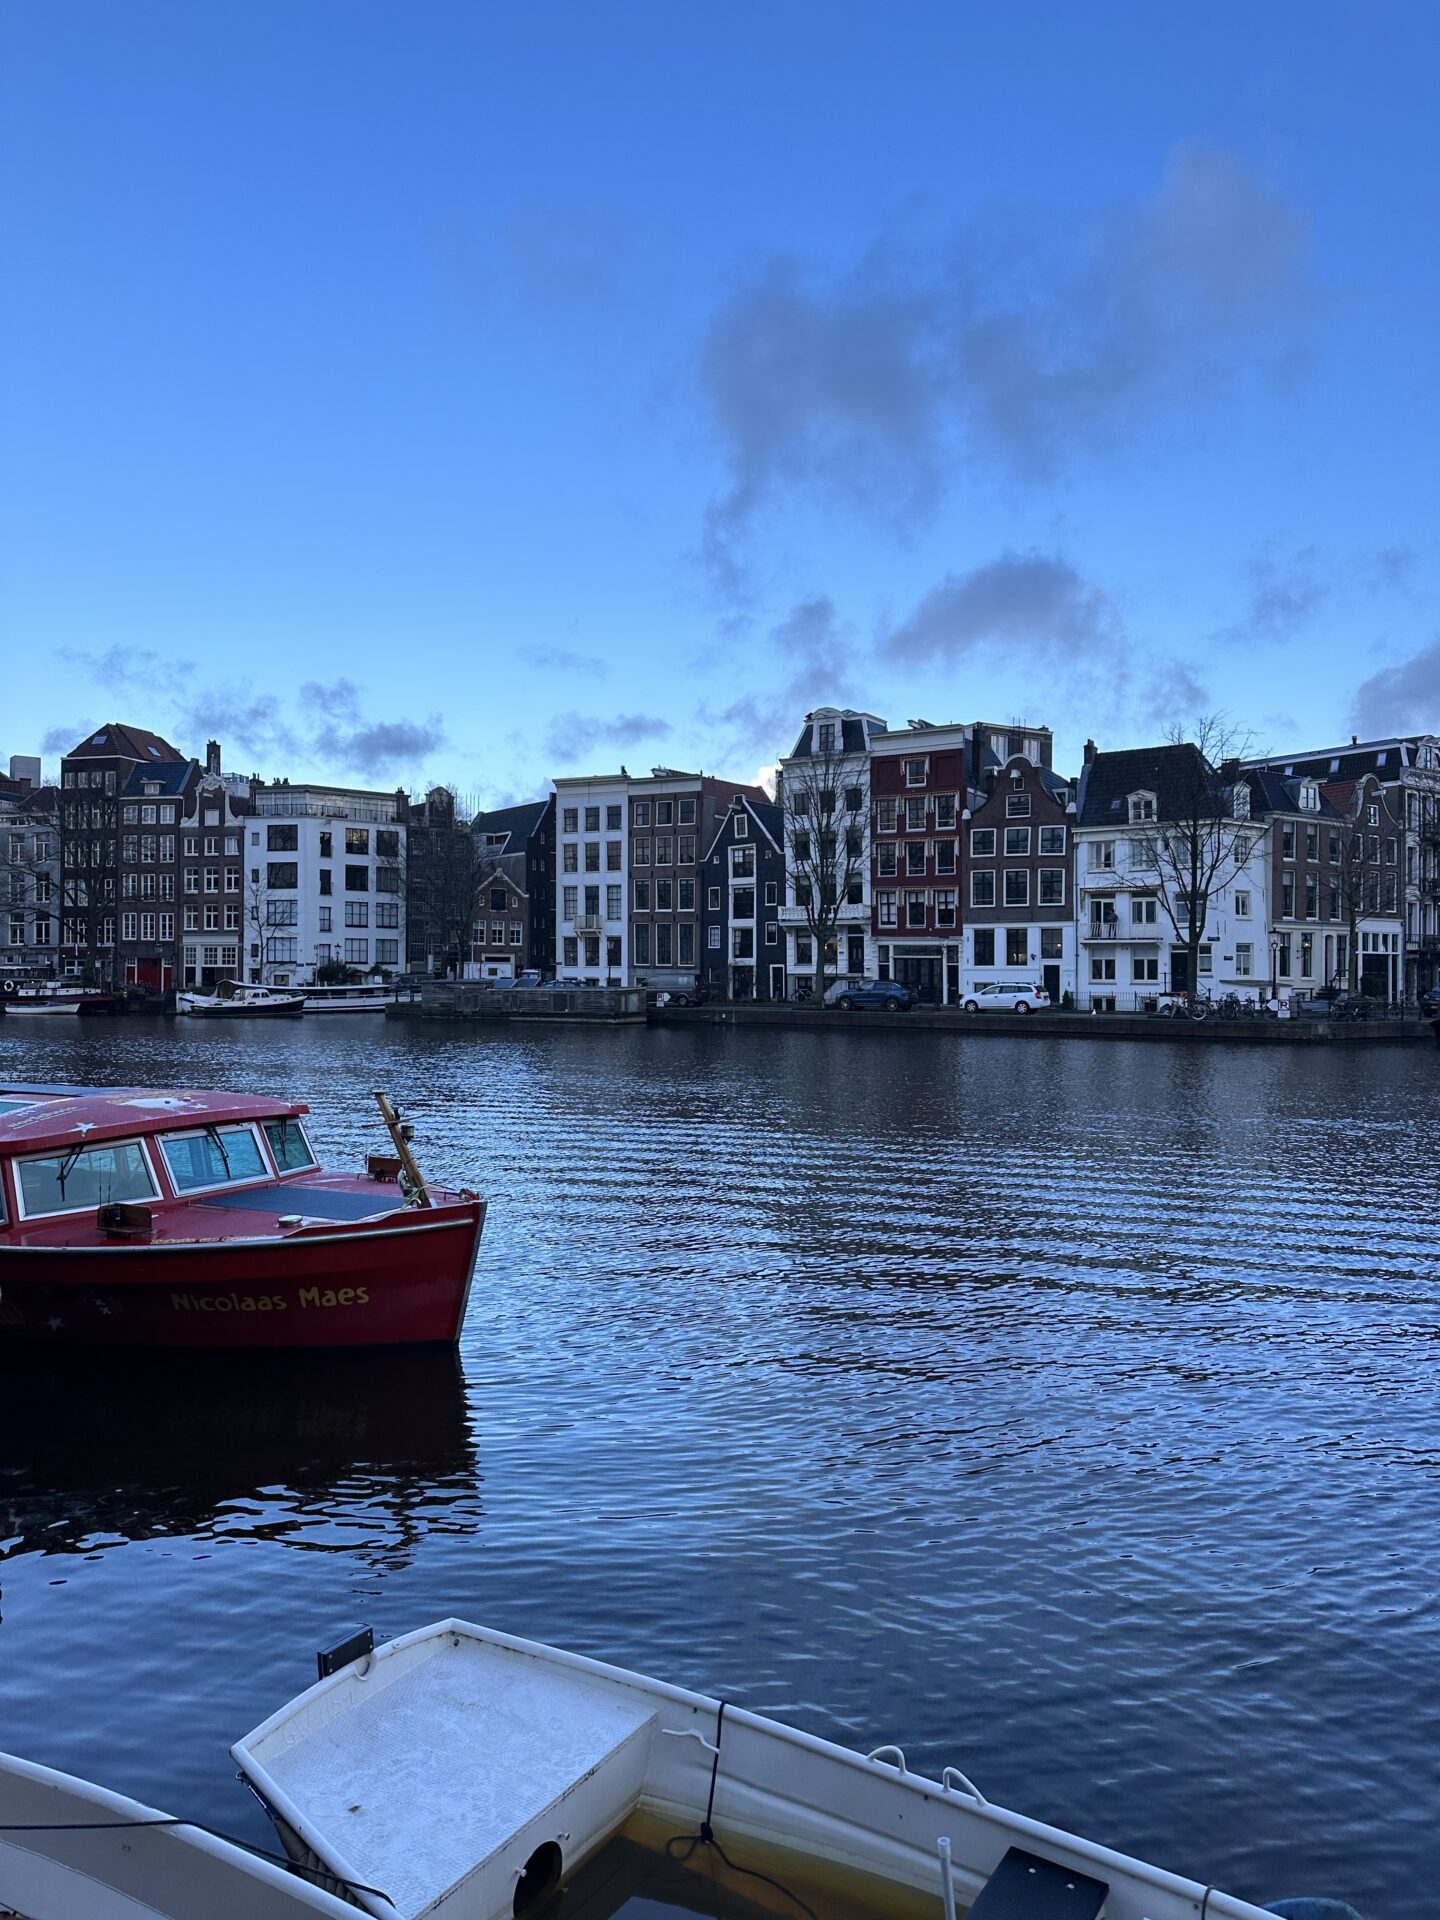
(1205, 838)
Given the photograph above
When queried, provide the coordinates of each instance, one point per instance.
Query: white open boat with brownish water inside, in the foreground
(464, 1773)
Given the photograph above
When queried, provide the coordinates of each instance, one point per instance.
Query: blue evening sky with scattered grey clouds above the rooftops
(450, 393)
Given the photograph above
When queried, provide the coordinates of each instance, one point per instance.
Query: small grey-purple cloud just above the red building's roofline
(1038, 606)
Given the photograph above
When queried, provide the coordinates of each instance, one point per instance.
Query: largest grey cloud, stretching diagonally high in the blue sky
(1013, 348)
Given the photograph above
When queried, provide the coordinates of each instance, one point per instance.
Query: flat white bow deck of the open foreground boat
(481, 1740)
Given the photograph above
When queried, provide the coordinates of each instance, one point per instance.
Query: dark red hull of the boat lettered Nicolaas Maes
(400, 1282)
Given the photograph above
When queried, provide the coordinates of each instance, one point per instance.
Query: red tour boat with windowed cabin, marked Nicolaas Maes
(189, 1218)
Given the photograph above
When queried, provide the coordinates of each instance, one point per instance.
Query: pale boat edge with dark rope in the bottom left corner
(76, 1852)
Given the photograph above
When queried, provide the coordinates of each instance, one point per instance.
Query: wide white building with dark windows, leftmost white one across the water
(325, 882)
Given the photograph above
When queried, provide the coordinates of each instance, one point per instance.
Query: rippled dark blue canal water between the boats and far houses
(1061, 1410)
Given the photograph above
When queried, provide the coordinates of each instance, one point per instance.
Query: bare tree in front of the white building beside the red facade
(825, 798)
